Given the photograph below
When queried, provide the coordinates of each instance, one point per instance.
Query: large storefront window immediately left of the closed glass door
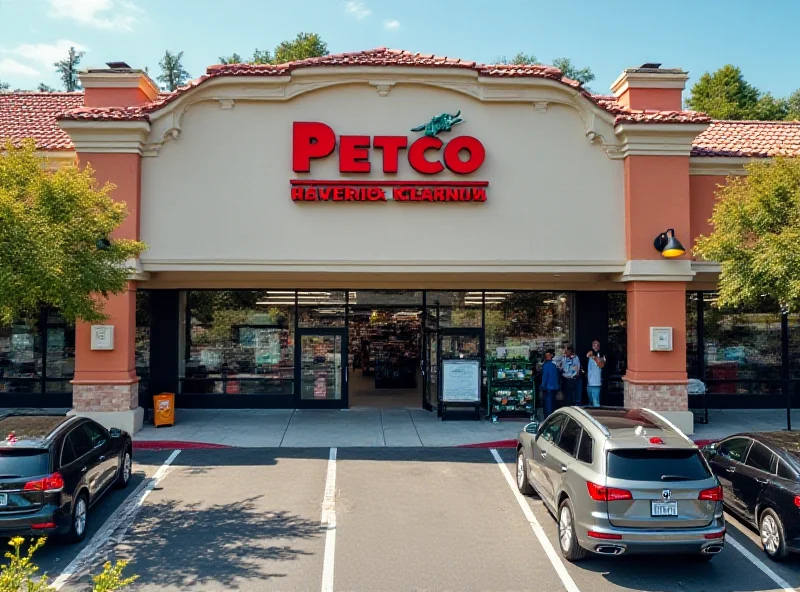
(239, 342)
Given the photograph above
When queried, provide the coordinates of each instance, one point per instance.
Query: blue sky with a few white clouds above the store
(697, 35)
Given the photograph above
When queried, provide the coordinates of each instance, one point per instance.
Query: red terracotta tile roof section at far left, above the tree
(33, 115)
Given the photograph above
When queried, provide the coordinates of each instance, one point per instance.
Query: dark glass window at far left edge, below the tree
(21, 357)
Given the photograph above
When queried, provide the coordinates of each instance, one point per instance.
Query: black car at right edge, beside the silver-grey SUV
(760, 474)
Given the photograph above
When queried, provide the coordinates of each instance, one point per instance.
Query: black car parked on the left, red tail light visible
(53, 468)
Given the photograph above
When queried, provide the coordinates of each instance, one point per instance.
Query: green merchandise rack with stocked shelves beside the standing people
(511, 388)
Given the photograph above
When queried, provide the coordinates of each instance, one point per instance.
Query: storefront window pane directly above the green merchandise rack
(522, 324)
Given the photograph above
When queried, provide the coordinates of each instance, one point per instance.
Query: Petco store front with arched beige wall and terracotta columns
(315, 186)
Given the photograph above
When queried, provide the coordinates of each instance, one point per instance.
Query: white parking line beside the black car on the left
(114, 529)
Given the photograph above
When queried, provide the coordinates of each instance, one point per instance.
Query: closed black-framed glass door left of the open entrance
(323, 368)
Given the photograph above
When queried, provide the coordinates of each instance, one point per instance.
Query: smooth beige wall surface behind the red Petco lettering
(218, 197)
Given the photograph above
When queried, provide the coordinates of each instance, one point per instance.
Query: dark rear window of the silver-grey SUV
(656, 465)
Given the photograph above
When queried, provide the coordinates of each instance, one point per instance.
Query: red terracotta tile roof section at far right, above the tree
(760, 139)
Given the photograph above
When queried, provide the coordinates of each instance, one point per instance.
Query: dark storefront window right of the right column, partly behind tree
(742, 348)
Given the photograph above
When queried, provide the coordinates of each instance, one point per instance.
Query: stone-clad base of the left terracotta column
(111, 405)
